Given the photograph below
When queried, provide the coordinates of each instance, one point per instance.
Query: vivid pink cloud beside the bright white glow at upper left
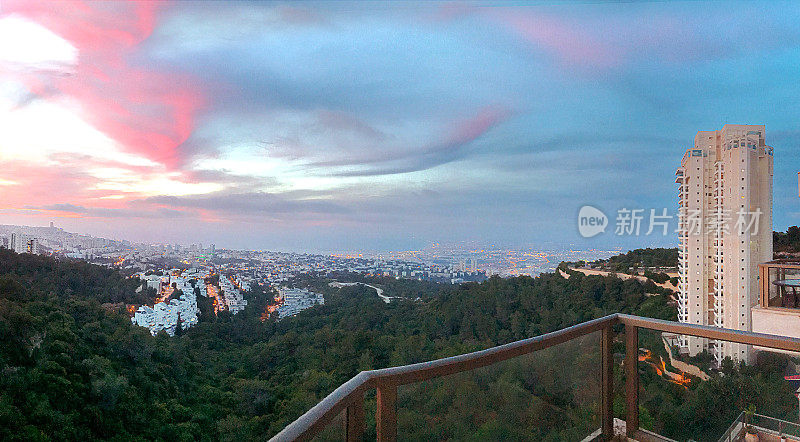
(149, 113)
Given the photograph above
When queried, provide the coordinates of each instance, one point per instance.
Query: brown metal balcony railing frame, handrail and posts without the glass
(349, 397)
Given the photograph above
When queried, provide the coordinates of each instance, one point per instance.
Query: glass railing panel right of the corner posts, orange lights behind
(685, 397)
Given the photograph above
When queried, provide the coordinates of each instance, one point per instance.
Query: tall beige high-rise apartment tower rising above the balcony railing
(725, 231)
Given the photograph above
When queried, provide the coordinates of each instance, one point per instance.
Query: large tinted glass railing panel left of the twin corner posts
(552, 394)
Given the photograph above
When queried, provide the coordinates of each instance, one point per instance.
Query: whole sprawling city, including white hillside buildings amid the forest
(177, 274)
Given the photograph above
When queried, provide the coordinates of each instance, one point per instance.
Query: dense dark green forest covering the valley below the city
(75, 368)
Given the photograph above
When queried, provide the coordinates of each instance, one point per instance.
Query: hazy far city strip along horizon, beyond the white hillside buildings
(453, 263)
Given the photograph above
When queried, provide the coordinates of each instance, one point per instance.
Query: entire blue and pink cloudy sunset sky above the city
(341, 126)
